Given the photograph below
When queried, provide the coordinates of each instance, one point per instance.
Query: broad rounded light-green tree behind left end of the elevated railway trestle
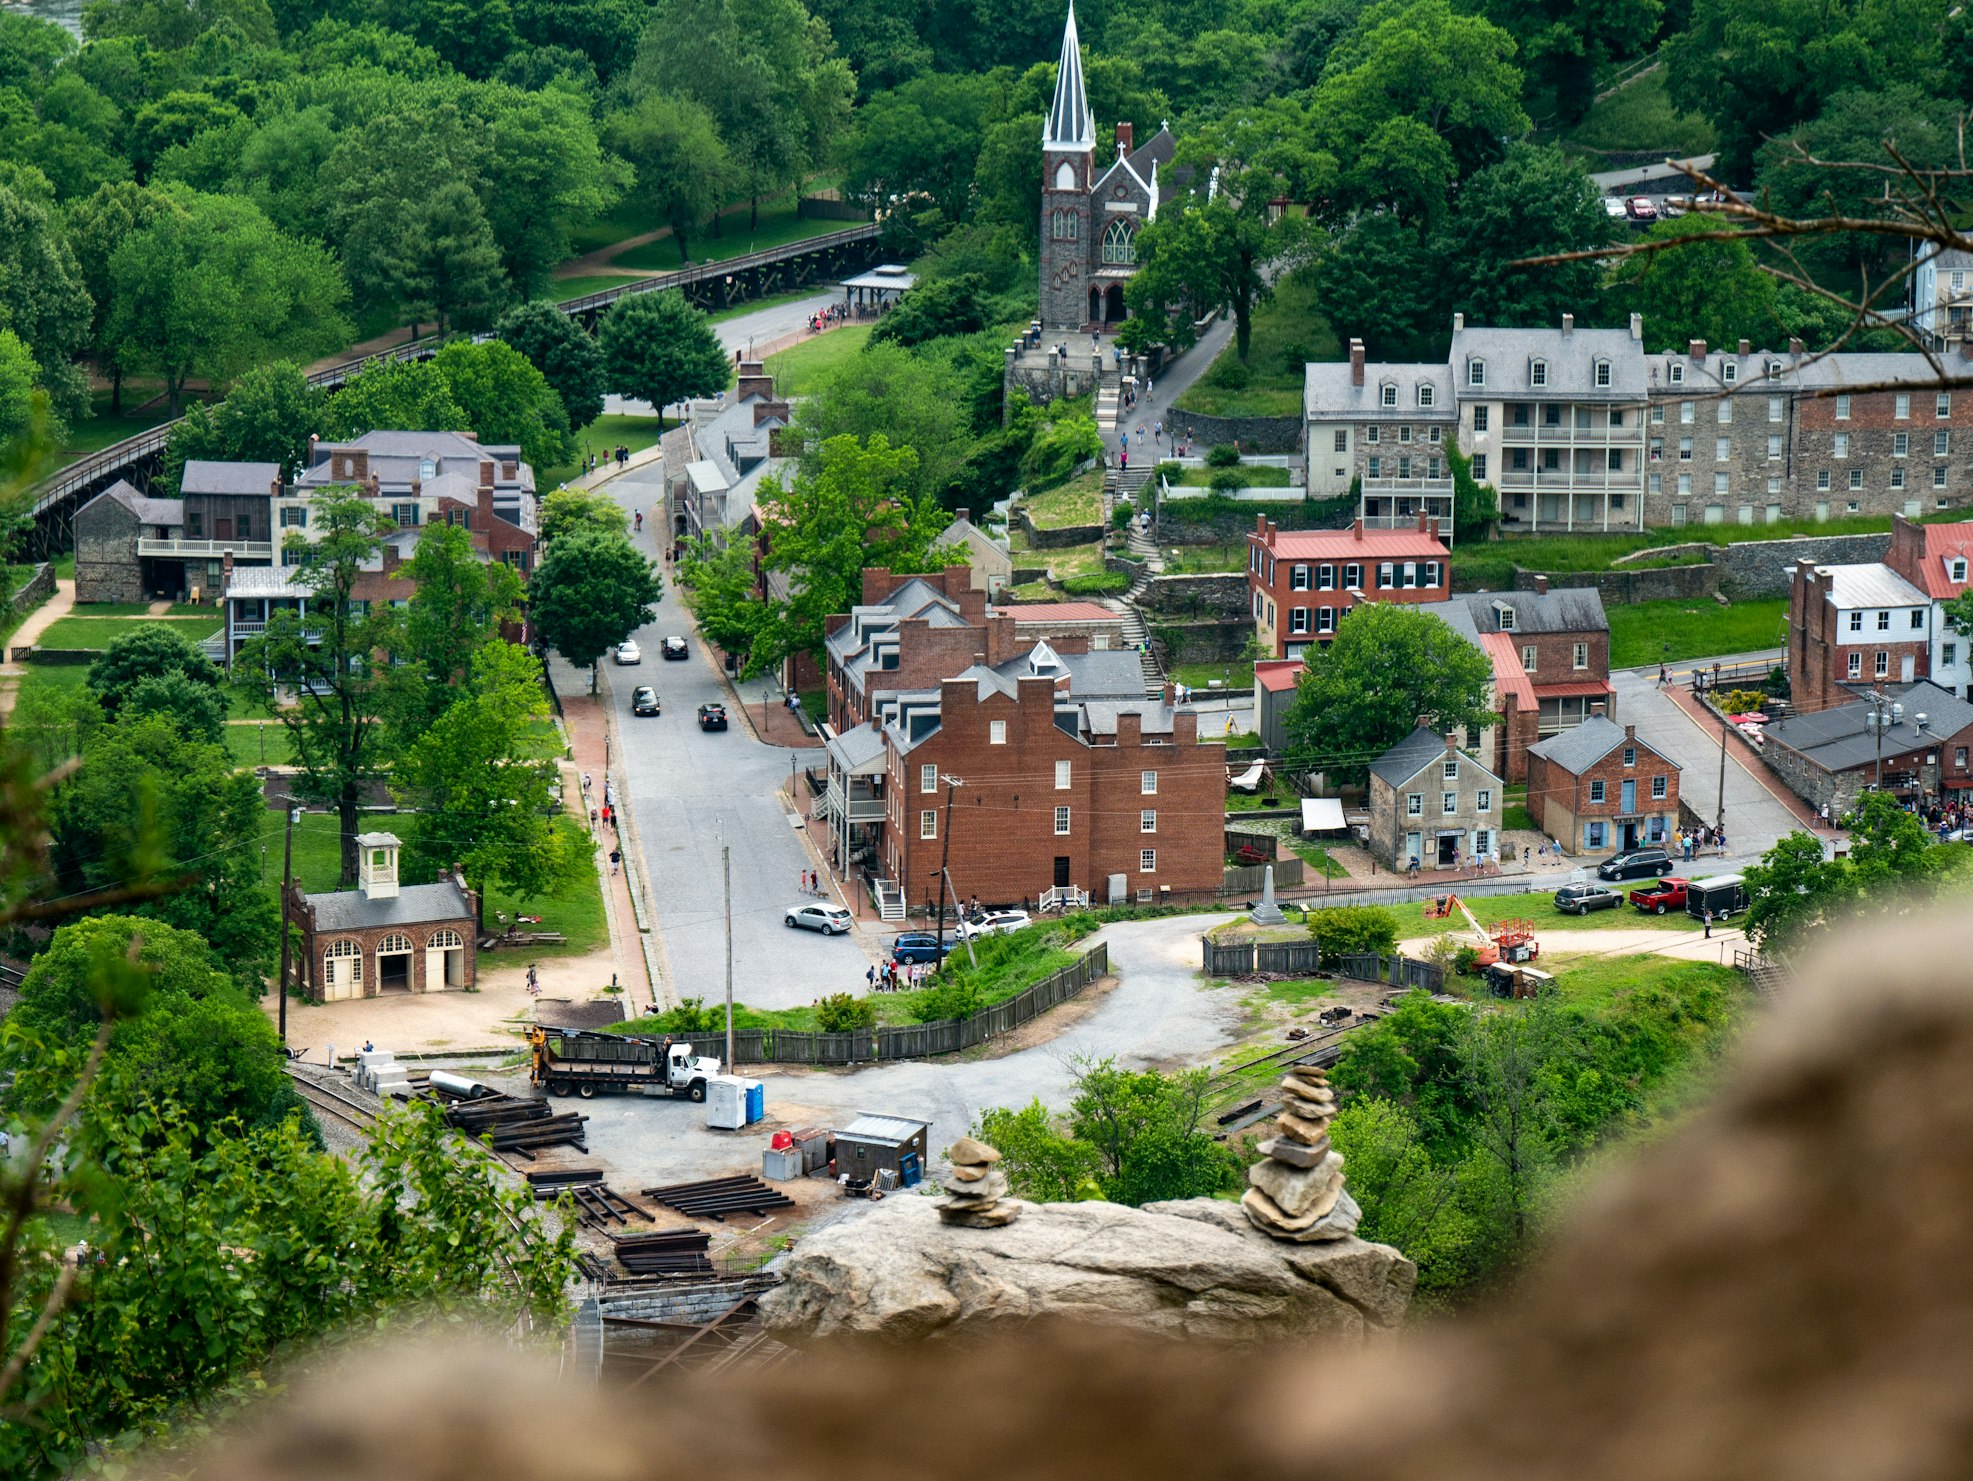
(216, 289)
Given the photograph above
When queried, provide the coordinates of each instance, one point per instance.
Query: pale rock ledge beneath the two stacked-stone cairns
(1193, 1269)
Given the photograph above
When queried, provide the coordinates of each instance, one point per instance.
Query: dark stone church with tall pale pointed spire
(1090, 222)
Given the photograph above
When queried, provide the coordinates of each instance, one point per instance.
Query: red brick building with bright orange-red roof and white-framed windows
(1301, 583)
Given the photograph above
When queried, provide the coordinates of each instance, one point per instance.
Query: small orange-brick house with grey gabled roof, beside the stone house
(1599, 790)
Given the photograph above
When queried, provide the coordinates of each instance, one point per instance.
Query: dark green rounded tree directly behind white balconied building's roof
(1536, 202)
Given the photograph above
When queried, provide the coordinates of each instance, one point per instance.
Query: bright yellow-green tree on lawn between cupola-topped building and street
(482, 782)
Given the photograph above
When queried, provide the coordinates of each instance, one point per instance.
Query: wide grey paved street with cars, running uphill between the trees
(690, 790)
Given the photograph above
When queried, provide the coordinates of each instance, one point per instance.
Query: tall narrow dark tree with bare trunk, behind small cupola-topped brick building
(334, 658)
